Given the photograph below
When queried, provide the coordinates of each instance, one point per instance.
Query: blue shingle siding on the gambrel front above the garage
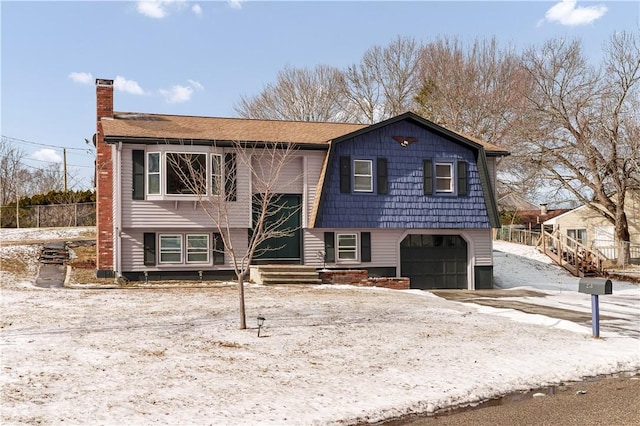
(405, 205)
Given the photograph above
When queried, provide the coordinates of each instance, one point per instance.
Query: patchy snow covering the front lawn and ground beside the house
(326, 355)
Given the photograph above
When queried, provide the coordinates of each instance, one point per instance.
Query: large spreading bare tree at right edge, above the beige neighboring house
(586, 124)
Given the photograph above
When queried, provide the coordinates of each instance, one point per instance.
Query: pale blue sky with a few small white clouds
(199, 58)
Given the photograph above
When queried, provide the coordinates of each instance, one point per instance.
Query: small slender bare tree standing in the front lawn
(265, 165)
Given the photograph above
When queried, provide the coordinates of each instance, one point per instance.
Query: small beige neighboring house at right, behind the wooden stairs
(594, 231)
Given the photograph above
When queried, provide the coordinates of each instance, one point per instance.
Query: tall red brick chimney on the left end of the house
(104, 183)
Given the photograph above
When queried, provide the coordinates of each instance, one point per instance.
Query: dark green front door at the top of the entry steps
(282, 249)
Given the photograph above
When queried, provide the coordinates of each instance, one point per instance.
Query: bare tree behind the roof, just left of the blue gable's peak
(385, 81)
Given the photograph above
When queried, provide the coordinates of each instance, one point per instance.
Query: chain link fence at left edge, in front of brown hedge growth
(46, 216)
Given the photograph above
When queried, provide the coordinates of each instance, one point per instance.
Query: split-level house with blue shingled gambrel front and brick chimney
(403, 197)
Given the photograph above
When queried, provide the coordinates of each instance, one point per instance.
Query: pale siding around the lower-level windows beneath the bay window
(132, 245)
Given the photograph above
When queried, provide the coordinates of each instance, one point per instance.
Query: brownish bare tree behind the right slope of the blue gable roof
(476, 89)
